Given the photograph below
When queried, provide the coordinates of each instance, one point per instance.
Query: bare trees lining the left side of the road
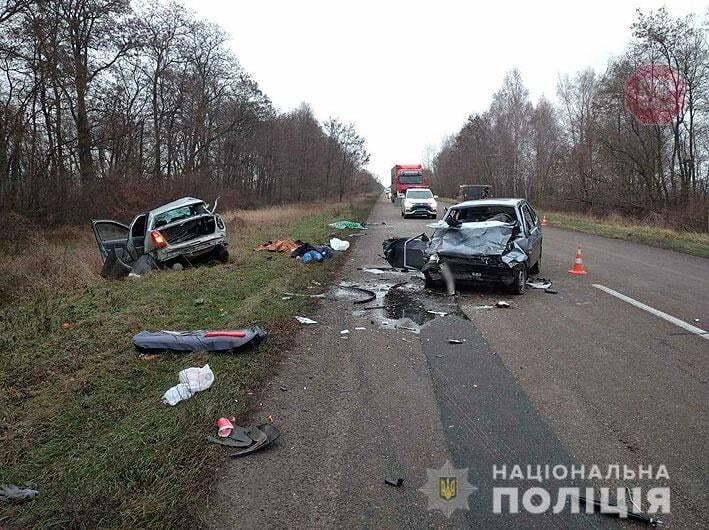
(108, 106)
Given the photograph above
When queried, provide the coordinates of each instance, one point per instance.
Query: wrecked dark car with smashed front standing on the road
(493, 240)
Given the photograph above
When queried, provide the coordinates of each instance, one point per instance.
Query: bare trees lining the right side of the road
(587, 152)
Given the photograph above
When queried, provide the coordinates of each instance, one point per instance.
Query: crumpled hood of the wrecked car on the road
(488, 238)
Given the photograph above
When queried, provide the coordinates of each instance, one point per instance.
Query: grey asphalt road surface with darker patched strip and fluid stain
(580, 377)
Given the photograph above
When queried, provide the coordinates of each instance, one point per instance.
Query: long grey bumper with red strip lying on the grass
(191, 341)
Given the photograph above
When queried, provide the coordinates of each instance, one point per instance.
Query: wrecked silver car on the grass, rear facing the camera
(176, 234)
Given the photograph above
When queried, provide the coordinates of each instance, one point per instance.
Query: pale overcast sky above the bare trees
(408, 73)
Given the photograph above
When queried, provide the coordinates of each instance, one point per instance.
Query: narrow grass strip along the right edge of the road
(616, 227)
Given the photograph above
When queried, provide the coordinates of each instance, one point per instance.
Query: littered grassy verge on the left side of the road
(80, 412)
